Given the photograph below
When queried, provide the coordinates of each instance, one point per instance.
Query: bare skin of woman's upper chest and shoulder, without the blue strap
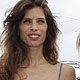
(48, 72)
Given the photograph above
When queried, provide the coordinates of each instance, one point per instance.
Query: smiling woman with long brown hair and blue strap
(30, 48)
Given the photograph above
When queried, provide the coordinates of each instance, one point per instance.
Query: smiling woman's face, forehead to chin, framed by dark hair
(33, 27)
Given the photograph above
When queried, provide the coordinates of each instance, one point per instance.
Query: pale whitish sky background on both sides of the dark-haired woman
(68, 19)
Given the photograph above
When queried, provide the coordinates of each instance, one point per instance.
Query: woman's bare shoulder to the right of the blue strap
(68, 73)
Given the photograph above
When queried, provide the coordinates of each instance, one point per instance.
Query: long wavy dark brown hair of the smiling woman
(15, 51)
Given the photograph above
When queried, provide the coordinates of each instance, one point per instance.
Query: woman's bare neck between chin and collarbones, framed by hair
(36, 56)
